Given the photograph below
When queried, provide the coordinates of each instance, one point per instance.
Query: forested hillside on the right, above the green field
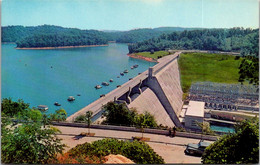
(235, 39)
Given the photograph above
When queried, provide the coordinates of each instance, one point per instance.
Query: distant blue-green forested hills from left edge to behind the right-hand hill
(53, 36)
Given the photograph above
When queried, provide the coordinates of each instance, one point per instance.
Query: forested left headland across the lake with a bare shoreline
(51, 36)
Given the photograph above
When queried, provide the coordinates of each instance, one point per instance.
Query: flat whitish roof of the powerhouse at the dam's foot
(195, 108)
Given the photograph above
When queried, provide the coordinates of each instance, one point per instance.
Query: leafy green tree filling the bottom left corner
(29, 143)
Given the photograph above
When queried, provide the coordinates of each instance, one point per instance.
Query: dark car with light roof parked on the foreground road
(196, 149)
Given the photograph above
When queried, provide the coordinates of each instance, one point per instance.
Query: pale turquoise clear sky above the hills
(131, 14)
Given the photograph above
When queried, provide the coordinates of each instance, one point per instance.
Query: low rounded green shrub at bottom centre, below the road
(139, 152)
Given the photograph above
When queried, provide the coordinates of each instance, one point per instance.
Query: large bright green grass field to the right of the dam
(218, 68)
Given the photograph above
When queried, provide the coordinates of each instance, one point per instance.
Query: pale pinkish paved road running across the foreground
(171, 149)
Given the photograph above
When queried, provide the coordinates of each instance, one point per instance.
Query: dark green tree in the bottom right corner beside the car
(241, 147)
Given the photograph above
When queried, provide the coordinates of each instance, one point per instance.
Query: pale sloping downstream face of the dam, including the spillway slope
(164, 82)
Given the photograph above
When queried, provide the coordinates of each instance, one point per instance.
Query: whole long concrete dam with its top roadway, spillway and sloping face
(157, 90)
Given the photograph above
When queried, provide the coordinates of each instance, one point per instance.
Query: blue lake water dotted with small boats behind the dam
(42, 77)
